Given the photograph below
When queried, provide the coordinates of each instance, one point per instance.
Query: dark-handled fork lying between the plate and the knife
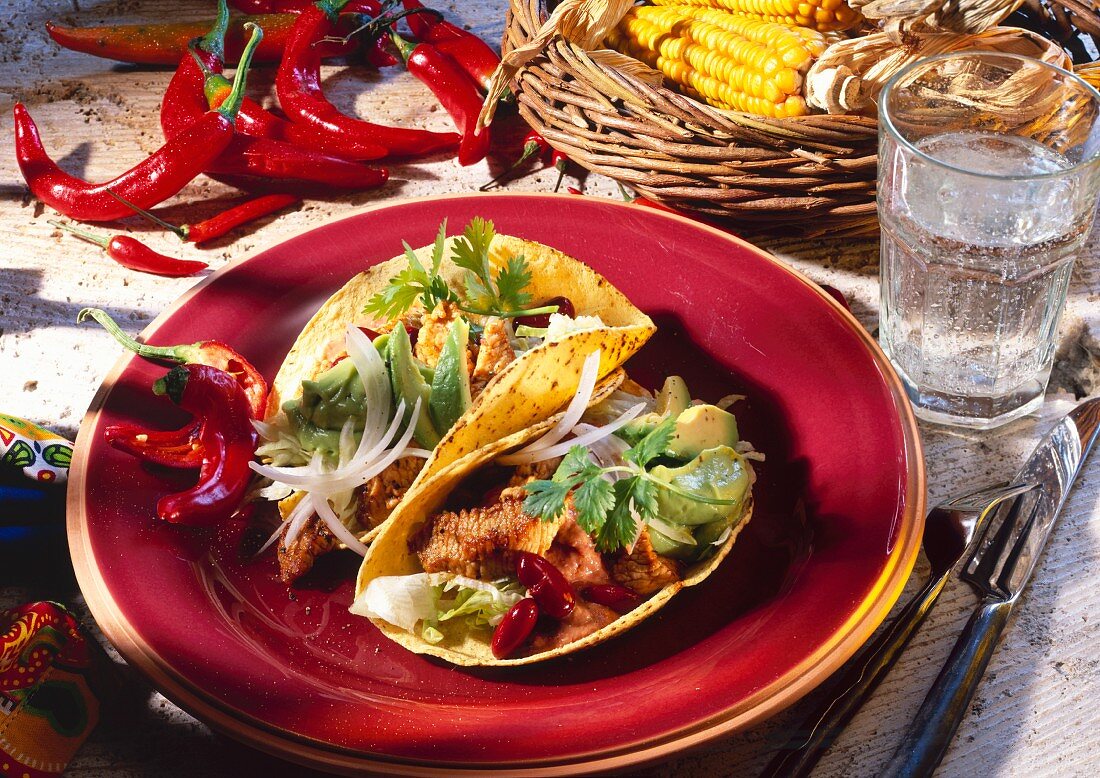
(949, 531)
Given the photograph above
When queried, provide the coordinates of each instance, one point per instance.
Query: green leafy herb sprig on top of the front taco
(607, 510)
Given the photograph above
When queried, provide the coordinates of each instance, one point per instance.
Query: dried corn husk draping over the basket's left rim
(582, 23)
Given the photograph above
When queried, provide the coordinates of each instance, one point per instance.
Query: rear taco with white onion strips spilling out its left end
(419, 363)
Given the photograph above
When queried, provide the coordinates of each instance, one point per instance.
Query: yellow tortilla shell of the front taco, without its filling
(390, 555)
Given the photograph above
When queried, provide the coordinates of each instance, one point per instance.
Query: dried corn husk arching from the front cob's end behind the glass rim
(850, 75)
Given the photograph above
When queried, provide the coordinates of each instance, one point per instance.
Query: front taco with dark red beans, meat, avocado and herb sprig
(543, 544)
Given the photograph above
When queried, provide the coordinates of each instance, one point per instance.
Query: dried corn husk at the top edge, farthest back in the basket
(900, 17)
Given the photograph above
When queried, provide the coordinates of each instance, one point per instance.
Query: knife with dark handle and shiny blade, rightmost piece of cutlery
(998, 571)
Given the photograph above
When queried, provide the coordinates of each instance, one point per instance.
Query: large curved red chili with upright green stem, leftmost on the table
(162, 176)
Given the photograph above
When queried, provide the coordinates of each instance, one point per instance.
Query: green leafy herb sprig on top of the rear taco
(487, 294)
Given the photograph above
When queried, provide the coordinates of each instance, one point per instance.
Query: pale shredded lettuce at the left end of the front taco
(433, 599)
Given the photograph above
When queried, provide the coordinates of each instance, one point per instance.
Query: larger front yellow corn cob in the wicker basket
(734, 63)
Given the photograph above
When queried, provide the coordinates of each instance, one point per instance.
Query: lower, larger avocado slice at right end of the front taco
(717, 475)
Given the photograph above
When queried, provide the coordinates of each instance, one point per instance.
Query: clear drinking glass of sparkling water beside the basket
(988, 183)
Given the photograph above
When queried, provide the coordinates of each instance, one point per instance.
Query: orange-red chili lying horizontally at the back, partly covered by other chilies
(163, 45)
